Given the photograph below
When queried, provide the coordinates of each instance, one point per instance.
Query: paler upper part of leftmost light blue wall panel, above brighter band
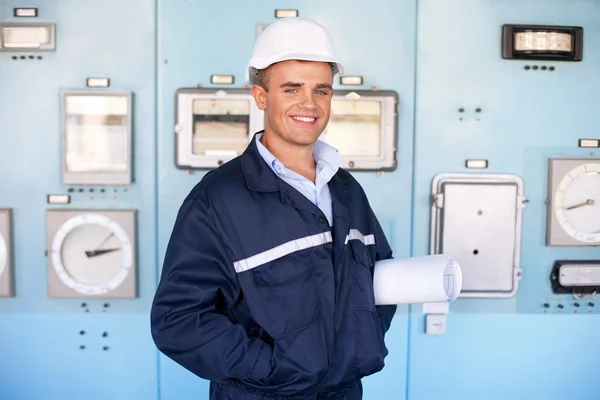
(93, 40)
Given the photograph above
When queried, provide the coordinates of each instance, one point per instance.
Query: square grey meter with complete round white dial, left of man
(91, 253)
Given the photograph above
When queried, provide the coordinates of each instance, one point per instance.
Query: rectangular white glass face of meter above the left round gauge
(96, 134)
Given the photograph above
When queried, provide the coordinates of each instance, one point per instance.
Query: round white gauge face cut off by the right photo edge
(577, 203)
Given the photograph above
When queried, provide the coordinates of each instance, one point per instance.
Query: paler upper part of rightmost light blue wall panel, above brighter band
(526, 116)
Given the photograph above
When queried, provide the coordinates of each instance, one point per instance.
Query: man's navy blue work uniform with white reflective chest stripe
(261, 297)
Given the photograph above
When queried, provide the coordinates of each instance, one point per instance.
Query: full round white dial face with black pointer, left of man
(92, 254)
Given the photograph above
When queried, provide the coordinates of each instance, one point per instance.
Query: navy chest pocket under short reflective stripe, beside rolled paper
(364, 296)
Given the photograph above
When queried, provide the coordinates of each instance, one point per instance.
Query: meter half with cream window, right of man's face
(363, 128)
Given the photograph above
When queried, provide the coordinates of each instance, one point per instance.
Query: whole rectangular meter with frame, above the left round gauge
(96, 137)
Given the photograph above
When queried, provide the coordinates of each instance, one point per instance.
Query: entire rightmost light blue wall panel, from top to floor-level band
(500, 349)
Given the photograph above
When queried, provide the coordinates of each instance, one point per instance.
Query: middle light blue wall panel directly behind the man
(197, 39)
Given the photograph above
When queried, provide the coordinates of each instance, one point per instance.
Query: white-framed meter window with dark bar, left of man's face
(214, 126)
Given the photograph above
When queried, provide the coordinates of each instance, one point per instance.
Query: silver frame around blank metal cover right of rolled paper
(437, 214)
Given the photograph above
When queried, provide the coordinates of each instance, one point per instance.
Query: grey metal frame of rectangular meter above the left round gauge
(97, 178)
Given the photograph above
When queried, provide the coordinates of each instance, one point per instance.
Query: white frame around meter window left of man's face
(184, 98)
